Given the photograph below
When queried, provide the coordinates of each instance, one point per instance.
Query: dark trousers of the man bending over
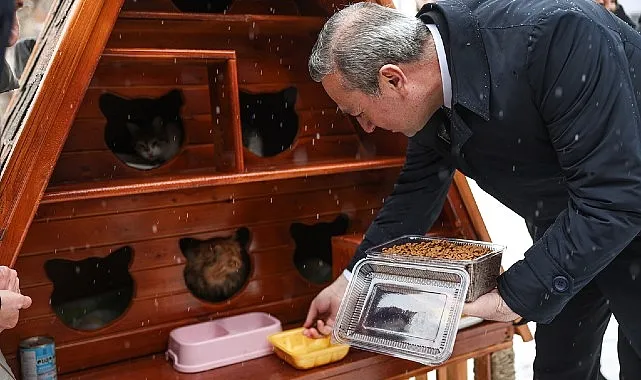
(569, 348)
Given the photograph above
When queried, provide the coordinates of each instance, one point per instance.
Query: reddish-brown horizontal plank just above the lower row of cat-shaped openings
(123, 228)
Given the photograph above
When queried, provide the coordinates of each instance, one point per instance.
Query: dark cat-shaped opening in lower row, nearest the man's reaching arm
(313, 254)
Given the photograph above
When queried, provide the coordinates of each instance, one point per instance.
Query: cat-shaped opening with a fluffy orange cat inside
(216, 268)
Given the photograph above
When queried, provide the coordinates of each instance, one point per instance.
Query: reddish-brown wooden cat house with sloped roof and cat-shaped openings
(80, 213)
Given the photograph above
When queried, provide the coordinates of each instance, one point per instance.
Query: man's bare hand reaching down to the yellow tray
(322, 312)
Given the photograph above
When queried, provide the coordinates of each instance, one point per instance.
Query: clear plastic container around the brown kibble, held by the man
(483, 270)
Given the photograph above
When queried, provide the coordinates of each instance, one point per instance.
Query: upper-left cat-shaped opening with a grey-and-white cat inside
(144, 133)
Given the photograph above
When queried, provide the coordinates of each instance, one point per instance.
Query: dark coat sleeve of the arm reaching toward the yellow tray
(417, 198)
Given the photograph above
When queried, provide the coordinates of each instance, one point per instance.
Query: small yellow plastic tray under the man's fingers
(303, 353)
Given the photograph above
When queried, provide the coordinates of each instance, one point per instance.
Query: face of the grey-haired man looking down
(389, 111)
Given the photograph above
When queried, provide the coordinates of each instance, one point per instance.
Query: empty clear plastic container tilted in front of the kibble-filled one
(407, 310)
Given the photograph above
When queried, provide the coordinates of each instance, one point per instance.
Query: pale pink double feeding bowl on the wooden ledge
(221, 342)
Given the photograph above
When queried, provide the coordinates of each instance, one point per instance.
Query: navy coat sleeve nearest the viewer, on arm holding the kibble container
(581, 82)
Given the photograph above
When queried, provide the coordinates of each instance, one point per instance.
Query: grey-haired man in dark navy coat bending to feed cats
(538, 101)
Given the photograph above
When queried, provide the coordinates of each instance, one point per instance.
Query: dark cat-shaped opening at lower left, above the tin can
(90, 293)
